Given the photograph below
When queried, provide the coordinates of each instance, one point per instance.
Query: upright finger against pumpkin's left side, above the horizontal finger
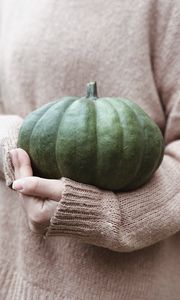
(21, 162)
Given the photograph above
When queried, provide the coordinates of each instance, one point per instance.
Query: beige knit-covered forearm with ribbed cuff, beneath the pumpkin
(123, 222)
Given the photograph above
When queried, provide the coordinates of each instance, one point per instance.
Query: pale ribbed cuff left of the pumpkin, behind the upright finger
(9, 143)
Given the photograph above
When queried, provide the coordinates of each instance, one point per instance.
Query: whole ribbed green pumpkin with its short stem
(107, 142)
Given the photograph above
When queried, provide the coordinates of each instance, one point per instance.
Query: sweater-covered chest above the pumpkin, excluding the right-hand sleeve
(52, 49)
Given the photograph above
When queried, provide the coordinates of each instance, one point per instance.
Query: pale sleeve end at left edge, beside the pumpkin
(9, 128)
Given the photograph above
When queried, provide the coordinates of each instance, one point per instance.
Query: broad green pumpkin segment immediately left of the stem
(71, 166)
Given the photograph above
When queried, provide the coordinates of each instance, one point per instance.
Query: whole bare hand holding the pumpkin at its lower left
(39, 196)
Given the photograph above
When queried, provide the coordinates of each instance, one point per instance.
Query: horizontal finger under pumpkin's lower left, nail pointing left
(40, 187)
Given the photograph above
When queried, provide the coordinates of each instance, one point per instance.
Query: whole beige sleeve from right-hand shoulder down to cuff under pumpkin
(126, 222)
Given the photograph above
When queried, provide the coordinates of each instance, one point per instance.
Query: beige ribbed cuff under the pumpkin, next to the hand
(77, 213)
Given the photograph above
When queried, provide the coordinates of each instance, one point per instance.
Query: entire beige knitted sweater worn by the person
(100, 245)
